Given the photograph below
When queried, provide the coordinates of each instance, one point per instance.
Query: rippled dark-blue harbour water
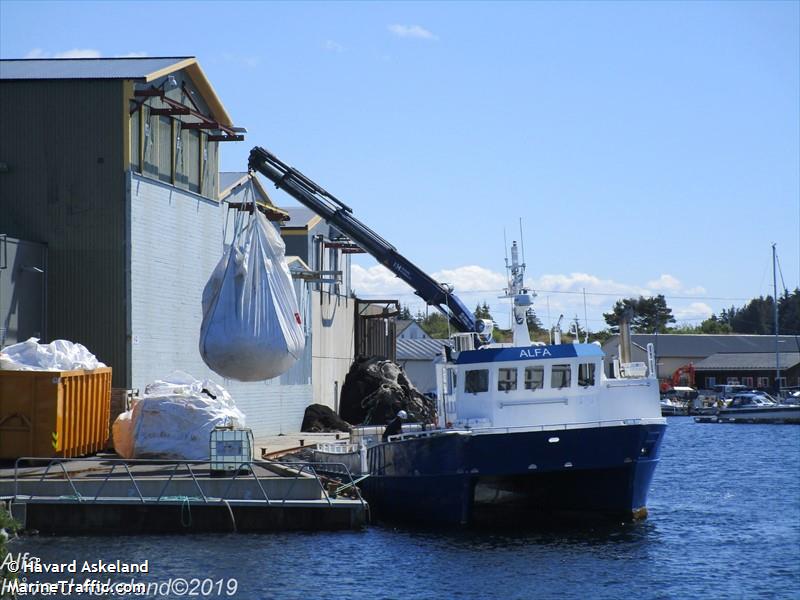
(724, 523)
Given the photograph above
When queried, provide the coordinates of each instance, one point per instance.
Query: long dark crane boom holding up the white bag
(340, 215)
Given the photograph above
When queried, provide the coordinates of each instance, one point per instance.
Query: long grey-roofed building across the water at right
(717, 359)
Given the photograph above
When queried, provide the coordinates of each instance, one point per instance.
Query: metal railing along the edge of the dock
(179, 472)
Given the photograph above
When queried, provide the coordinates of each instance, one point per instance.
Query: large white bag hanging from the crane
(251, 327)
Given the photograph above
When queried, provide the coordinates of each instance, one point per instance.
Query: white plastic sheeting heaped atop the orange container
(60, 355)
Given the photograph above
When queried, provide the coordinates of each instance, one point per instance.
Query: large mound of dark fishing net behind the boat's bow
(375, 390)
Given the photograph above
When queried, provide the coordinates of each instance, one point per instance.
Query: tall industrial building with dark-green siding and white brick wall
(112, 218)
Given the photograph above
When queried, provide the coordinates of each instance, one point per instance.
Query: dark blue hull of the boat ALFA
(471, 479)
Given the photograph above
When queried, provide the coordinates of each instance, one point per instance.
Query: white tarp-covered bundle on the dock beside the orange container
(174, 419)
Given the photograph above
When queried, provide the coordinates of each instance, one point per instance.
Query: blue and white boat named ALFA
(525, 431)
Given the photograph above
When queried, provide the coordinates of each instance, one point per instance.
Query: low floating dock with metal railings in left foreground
(110, 496)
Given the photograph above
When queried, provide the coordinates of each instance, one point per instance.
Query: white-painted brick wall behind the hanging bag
(176, 240)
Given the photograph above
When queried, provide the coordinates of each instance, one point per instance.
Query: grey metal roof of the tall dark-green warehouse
(87, 68)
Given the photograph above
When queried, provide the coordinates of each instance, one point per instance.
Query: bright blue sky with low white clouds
(645, 147)
